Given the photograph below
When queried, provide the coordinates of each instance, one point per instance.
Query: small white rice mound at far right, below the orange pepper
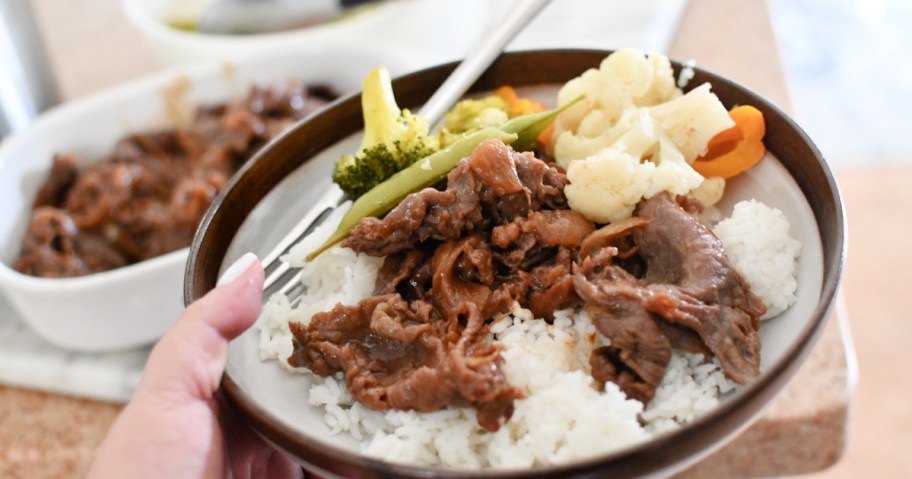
(758, 245)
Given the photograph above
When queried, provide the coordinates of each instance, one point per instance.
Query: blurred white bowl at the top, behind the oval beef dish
(429, 30)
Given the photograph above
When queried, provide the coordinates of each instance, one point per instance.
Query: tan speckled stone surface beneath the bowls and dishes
(804, 430)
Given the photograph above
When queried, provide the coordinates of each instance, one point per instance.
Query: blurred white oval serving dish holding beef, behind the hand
(133, 305)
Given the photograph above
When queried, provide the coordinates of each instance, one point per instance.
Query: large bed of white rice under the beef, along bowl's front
(563, 417)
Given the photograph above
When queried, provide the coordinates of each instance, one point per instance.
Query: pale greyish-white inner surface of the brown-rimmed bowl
(284, 395)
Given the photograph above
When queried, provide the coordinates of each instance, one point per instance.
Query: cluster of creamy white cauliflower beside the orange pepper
(634, 136)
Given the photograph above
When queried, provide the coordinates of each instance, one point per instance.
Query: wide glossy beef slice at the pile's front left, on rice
(402, 355)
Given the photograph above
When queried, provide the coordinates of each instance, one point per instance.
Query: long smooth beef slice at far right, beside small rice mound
(691, 283)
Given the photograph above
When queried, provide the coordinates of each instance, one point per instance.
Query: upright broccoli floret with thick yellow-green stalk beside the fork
(394, 138)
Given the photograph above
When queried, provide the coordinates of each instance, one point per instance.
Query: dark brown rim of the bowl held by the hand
(666, 452)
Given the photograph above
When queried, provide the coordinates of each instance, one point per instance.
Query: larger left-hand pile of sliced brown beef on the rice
(420, 343)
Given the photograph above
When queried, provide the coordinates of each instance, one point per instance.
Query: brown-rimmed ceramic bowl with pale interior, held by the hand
(272, 191)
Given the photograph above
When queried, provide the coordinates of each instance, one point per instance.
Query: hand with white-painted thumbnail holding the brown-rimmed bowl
(177, 425)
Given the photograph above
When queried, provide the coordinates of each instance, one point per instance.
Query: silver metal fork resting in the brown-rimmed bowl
(281, 277)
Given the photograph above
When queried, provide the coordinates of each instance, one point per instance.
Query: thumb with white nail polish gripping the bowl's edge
(190, 358)
